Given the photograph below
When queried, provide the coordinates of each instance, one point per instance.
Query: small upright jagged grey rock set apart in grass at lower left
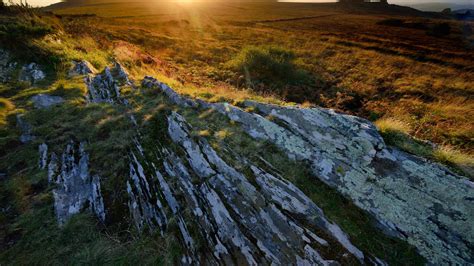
(75, 189)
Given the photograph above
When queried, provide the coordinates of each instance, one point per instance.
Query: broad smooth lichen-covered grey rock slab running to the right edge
(411, 198)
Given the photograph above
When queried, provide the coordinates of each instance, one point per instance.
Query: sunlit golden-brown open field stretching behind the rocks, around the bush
(359, 66)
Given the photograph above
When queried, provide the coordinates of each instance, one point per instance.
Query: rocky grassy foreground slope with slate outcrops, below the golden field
(102, 164)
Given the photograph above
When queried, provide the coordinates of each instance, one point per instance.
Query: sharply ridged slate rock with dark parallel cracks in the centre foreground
(239, 222)
